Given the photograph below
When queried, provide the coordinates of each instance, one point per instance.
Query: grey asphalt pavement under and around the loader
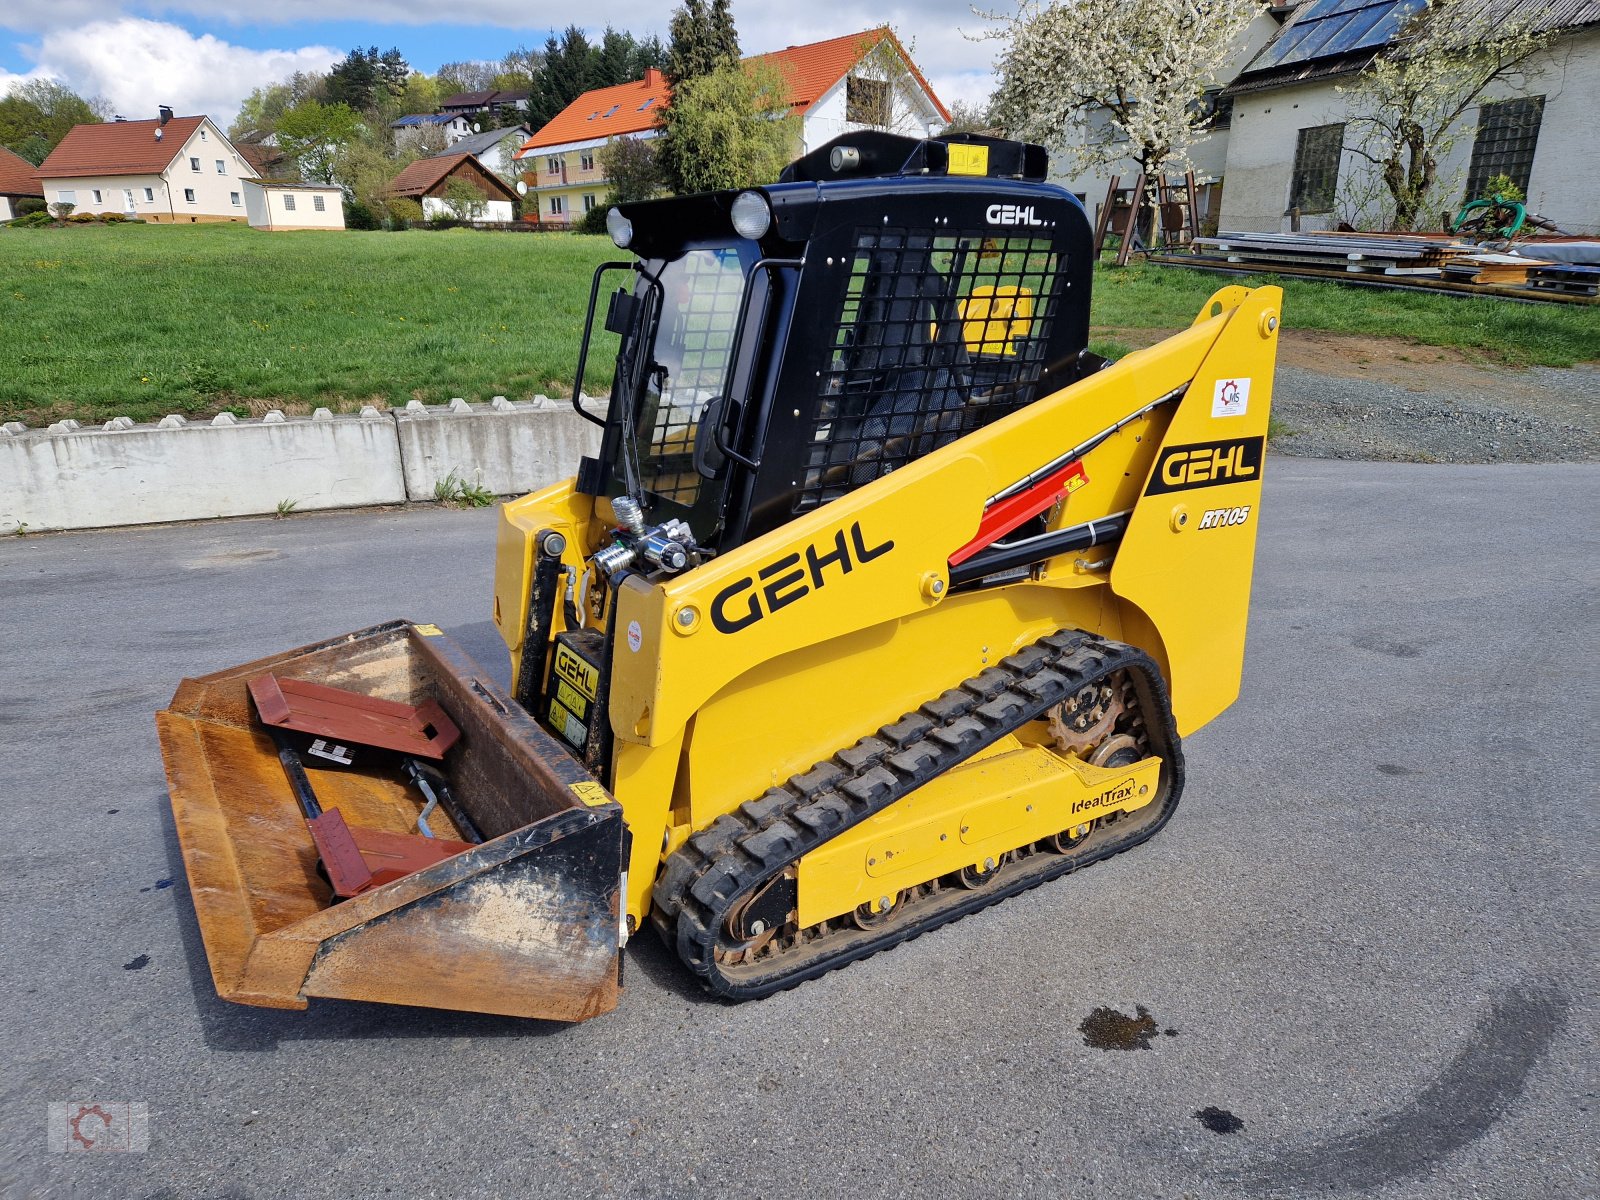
(1359, 962)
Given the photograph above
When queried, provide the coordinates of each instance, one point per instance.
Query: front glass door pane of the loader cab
(700, 305)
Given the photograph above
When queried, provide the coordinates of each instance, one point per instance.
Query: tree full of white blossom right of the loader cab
(1127, 73)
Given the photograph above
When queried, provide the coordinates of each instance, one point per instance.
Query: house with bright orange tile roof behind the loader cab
(857, 82)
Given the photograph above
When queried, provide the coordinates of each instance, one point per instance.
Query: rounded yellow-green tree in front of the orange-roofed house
(730, 129)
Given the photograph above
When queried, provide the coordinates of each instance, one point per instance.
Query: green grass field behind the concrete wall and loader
(143, 321)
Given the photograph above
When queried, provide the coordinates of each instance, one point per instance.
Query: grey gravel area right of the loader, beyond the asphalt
(1478, 415)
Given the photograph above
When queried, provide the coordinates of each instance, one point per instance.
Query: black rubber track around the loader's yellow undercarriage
(740, 852)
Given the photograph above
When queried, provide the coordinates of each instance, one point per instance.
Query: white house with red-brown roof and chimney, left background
(172, 170)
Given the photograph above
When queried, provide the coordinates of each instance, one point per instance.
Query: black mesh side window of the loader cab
(937, 335)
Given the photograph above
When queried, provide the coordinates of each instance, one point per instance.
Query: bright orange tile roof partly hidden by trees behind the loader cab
(809, 71)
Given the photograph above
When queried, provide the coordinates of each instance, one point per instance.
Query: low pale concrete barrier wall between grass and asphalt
(70, 478)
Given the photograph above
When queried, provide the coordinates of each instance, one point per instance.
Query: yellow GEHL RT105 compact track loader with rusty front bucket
(882, 601)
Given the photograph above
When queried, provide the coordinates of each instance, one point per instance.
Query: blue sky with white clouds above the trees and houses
(199, 58)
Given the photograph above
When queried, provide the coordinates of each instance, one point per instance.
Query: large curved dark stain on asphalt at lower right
(1458, 1108)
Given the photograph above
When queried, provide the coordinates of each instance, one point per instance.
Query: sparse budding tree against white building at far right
(1407, 106)
